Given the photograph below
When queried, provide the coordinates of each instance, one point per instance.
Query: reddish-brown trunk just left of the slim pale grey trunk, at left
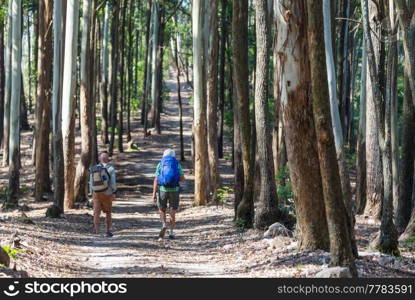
(43, 106)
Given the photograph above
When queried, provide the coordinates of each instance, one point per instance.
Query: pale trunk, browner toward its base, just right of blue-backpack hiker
(201, 155)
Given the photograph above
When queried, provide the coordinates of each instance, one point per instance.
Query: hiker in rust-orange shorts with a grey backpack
(103, 186)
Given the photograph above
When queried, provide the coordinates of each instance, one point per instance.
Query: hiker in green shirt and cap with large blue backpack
(168, 174)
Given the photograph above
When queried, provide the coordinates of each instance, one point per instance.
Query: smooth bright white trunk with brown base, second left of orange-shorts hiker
(68, 101)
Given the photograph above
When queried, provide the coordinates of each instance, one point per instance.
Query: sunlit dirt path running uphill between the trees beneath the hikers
(135, 250)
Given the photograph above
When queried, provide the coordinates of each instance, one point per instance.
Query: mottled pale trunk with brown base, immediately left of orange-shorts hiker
(81, 177)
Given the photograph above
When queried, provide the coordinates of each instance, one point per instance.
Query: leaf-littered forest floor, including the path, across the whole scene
(207, 244)
